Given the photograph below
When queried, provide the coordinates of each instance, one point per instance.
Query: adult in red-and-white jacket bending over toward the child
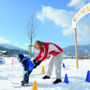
(46, 49)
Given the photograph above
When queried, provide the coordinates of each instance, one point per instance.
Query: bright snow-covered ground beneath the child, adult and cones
(77, 77)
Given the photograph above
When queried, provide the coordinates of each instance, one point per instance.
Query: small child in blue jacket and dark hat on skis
(28, 67)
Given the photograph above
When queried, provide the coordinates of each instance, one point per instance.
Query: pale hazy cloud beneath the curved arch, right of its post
(83, 28)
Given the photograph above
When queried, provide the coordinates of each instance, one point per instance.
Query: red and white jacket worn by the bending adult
(47, 49)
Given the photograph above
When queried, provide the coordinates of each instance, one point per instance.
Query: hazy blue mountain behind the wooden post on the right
(82, 50)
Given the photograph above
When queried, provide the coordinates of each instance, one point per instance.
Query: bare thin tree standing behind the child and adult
(31, 33)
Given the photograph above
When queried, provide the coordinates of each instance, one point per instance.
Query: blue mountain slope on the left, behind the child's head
(13, 50)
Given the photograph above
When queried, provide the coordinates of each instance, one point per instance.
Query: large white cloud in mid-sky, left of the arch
(61, 18)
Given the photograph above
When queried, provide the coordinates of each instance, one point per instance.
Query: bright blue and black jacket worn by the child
(27, 64)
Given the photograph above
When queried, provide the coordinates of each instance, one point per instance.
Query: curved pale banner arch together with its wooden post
(83, 11)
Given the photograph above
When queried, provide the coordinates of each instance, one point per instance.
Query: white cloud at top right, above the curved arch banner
(77, 3)
